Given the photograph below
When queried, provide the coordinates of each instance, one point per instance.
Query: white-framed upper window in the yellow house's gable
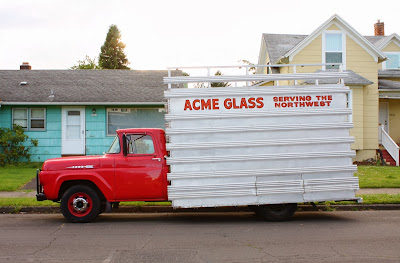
(333, 49)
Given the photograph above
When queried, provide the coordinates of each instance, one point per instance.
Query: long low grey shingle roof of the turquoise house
(83, 86)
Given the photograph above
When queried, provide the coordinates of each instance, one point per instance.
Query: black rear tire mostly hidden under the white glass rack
(275, 212)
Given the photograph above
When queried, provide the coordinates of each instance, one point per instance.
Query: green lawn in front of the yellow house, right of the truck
(378, 176)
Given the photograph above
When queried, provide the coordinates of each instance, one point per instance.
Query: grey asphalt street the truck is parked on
(359, 236)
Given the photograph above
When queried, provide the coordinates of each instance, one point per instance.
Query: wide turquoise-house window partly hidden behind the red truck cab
(123, 118)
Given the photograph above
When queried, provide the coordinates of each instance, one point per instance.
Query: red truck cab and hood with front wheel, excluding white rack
(134, 170)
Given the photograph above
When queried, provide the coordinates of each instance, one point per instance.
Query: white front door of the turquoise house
(73, 130)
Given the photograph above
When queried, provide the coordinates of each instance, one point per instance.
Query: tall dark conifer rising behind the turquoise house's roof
(112, 54)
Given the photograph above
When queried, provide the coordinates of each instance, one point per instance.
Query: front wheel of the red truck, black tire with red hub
(80, 204)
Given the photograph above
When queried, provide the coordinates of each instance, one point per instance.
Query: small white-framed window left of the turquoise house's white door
(33, 119)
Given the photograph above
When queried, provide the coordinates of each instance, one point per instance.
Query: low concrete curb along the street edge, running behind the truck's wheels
(170, 209)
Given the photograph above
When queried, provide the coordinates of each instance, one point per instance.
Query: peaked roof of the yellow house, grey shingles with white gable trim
(292, 44)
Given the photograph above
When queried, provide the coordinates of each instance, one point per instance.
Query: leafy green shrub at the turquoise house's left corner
(12, 148)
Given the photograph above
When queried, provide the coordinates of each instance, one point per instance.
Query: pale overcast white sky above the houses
(52, 34)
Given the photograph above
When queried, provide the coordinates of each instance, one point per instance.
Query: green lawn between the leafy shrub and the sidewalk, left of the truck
(12, 177)
